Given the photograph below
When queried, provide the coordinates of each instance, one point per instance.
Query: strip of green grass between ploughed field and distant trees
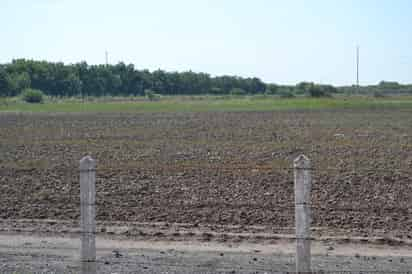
(181, 104)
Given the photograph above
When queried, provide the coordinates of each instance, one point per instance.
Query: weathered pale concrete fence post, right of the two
(303, 187)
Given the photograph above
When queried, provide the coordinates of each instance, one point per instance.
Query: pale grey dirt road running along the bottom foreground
(22, 253)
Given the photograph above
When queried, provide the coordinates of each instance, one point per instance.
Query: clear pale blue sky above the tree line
(278, 41)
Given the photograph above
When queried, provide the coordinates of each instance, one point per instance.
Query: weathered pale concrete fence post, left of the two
(88, 214)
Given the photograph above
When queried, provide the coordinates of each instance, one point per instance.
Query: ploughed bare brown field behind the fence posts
(221, 168)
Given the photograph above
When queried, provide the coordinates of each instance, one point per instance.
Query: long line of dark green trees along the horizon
(81, 79)
